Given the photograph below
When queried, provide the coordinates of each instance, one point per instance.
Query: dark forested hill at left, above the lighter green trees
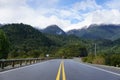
(21, 34)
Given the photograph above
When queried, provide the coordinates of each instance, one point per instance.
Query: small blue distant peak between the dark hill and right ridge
(53, 29)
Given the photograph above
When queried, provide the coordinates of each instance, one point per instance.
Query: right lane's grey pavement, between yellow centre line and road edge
(79, 71)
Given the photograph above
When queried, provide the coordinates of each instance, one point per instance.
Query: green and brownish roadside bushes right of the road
(105, 57)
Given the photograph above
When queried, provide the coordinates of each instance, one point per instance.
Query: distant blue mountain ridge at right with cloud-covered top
(103, 31)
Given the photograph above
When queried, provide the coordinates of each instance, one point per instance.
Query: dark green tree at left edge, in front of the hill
(4, 45)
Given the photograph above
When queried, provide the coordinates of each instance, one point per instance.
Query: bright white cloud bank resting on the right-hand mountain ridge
(98, 17)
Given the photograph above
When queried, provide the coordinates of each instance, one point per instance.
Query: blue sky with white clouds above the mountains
(67, 14)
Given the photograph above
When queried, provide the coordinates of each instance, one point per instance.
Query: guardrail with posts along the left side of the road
(20, 62)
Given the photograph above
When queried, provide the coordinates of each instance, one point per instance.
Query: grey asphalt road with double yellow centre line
(59, 70)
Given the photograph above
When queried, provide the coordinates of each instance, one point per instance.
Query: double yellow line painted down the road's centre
(61, 68)
